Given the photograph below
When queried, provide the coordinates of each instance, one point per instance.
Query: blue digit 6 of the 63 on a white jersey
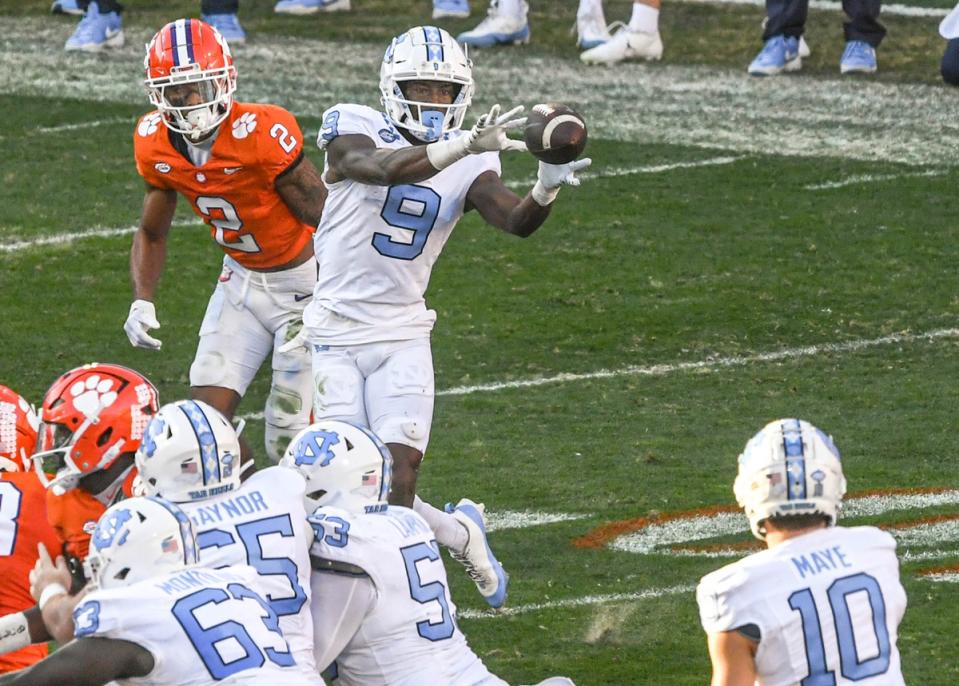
(205, 640)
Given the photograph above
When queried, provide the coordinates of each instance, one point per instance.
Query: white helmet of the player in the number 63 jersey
(137, 539)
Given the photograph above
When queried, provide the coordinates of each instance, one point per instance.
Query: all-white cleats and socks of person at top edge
(638, 39)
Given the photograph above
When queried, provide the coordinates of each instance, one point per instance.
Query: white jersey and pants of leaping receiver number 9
(368, 324)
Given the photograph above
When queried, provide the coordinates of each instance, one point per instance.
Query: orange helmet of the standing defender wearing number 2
(190, 76)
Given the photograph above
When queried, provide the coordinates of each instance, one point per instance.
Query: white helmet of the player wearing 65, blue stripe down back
(189, 452)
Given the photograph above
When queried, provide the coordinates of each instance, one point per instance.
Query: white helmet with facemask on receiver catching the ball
(425, 53)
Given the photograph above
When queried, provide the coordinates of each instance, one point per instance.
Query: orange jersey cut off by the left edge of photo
(23, 524)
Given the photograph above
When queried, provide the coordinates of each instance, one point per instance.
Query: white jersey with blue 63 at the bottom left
(202, 626)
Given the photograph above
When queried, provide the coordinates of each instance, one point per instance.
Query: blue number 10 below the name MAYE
(850, 665)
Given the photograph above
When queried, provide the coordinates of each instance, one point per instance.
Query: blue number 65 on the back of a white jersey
(250, 533)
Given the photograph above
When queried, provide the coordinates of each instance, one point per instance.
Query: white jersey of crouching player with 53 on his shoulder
(407, 634)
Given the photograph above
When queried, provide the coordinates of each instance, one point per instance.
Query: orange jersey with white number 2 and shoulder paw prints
(234, 191)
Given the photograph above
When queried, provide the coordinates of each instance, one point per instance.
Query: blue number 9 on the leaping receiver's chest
(410, 207)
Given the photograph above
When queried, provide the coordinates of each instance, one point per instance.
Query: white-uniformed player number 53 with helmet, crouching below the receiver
(382, 607)
